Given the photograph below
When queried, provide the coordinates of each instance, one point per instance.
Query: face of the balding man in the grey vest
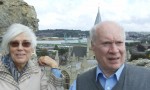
(109, 48)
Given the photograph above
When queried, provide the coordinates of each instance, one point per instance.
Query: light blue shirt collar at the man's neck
(117, 73)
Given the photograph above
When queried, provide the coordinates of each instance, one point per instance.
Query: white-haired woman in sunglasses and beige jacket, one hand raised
(17, 70)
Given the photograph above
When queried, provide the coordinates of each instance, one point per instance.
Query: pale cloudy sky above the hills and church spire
(133, 15)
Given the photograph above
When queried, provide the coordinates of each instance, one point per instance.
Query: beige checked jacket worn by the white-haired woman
(32, 79)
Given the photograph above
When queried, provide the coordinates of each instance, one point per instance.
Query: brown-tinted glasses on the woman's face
(16, 43)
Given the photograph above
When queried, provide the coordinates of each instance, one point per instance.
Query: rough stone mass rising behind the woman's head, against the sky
(17, 11)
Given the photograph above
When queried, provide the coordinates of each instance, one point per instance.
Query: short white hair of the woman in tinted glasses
(13, 31)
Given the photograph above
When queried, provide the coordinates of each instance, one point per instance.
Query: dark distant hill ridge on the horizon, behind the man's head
(65, 33)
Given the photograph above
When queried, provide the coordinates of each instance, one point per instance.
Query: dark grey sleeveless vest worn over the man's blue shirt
(132, 78)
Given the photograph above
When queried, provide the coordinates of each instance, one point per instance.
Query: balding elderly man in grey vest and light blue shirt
(111, 73)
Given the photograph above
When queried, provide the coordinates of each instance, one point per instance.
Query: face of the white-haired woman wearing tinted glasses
(20, 49)
